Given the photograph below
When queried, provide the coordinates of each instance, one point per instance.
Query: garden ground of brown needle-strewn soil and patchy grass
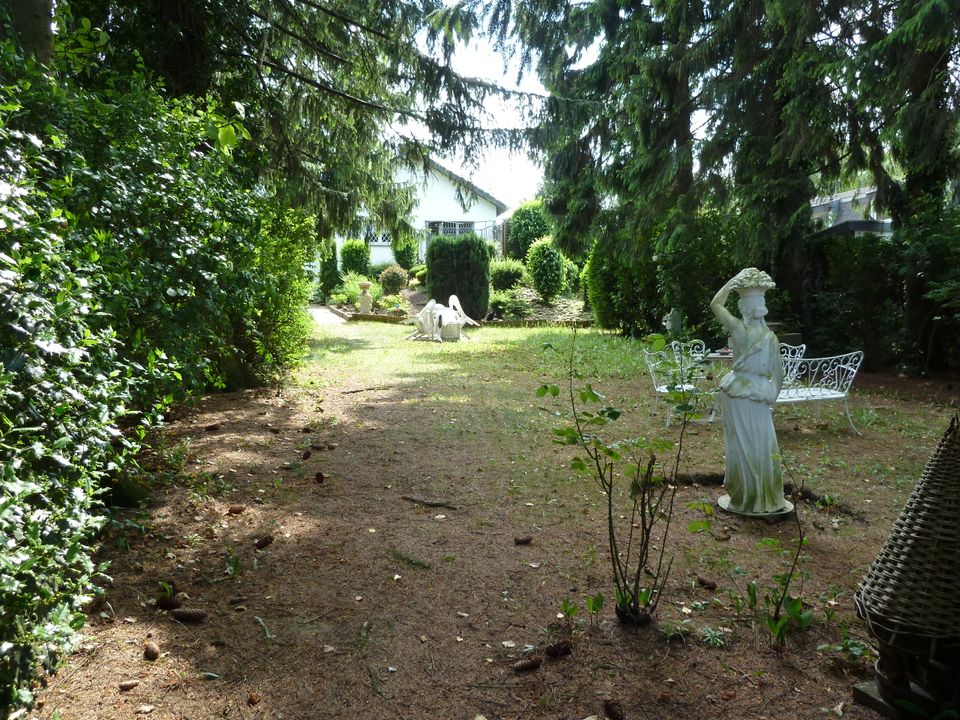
(362, 602)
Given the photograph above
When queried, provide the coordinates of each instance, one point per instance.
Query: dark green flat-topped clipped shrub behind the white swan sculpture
(460, 266)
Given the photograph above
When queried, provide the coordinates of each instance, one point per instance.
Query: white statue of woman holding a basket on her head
(753, 479)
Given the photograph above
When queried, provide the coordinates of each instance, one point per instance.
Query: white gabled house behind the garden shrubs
(446, 204)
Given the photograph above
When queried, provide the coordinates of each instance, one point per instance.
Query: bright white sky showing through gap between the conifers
(512, 178)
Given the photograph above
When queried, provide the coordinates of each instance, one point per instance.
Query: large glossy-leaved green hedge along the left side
(135, 268)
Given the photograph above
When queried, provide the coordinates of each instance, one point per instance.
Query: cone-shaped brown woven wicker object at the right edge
(910, 597)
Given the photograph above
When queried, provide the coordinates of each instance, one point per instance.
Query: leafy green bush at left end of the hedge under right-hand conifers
(622, 290)
